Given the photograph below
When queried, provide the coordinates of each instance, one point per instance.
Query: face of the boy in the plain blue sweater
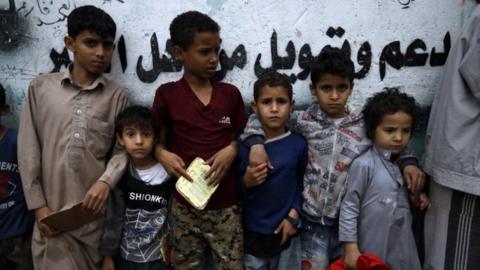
(273, 108)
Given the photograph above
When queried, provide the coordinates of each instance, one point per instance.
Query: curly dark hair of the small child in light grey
(389, 101)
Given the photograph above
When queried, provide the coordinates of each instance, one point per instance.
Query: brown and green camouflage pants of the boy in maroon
(194, 232)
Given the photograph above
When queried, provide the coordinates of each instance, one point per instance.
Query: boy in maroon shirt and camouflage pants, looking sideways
(199, 117)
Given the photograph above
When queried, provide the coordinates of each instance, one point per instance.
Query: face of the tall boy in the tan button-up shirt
(92, 53)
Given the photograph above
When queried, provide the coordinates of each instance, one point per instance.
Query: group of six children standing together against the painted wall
(299, 186)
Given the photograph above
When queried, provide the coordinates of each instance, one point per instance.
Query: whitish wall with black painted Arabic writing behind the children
(400, 43)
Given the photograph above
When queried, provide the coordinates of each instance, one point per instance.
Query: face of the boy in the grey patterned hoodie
(332, 92)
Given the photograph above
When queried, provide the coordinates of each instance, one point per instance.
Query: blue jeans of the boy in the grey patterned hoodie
(320, 245)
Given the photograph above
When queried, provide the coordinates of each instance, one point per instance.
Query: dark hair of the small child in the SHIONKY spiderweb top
(136, 116)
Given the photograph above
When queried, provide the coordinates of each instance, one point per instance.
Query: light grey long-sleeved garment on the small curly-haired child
(375, 212)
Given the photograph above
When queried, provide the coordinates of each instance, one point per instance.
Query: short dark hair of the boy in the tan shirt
(93, 19)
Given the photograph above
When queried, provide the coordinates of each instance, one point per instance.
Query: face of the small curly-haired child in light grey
(394, 132)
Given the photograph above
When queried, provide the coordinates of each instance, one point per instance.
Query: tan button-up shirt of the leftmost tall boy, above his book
(65, 135)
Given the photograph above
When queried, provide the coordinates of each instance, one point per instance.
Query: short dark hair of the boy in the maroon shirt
(185, 25)
